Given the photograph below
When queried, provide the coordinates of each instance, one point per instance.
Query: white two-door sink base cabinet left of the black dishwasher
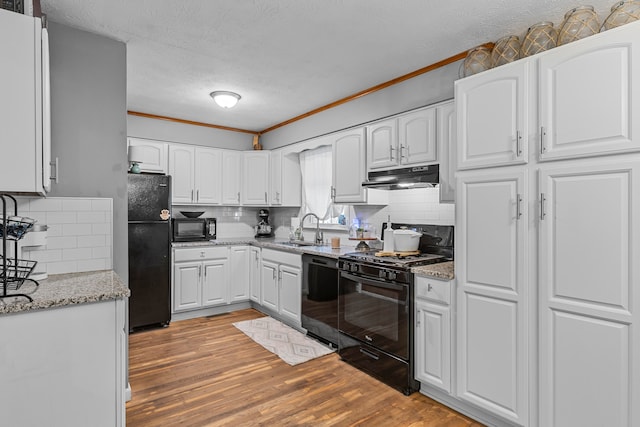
(281, 284)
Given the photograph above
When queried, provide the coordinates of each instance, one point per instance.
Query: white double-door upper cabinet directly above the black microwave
(195, 173)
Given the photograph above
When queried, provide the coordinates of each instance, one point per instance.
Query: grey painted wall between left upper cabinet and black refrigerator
(88, 124)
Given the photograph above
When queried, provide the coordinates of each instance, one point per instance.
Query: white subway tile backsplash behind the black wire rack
(79, 235)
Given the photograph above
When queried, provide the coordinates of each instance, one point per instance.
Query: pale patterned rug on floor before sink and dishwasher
(291, 346)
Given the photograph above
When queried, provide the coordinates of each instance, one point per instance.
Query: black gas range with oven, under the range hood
(376, 316)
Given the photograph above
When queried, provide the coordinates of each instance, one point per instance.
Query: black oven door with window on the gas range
(375, 312)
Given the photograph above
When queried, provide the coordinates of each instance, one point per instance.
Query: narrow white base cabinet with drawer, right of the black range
(433, 332)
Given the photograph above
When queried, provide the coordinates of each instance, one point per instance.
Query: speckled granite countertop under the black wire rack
(66, 289)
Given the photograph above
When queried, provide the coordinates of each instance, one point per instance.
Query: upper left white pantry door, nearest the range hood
(492, 116)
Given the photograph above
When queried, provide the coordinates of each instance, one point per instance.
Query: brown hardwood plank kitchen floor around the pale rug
(205, 372)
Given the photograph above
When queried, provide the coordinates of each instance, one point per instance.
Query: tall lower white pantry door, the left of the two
(492, 316)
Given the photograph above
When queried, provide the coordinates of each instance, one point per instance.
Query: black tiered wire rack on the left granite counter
(14, 271)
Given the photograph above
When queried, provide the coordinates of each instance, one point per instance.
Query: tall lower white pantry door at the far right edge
(589, 304)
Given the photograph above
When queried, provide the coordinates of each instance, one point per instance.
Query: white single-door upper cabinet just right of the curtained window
(349, 169)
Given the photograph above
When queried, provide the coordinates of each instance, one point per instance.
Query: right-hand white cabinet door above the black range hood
(417, 137)
